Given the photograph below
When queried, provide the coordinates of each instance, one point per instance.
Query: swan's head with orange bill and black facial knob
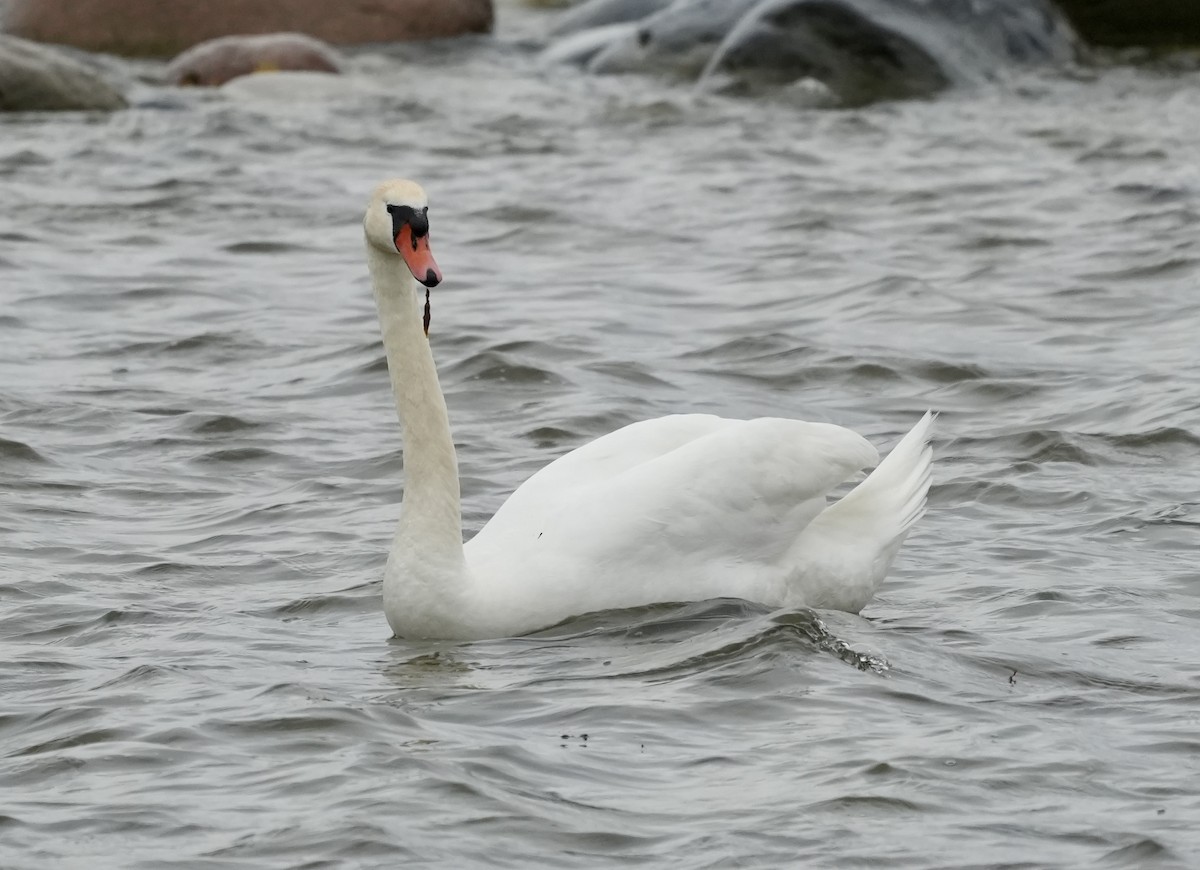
(398, 224)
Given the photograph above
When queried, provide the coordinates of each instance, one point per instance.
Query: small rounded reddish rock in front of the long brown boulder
(214, 63)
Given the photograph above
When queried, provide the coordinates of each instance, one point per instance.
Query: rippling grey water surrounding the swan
(201, 470)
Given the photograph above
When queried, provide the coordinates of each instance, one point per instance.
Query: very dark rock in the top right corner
(1129, 23)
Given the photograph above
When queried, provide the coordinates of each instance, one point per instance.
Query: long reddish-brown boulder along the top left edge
(163, 28)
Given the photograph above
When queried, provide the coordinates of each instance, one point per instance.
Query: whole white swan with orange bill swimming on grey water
(676, 509)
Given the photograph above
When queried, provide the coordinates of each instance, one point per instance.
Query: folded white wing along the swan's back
(687, 497)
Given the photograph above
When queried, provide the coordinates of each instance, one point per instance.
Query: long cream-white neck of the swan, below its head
(431, 520)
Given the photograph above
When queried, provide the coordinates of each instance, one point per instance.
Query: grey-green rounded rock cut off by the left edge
(40, 79)
